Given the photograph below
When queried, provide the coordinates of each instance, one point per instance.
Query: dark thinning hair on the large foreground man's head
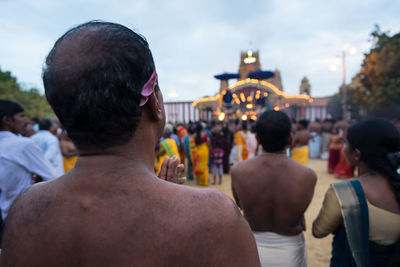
(93, 78)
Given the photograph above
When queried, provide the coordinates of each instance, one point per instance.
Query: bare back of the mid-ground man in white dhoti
(274, 191)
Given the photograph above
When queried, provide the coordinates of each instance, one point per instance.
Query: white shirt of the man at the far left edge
(20, 157)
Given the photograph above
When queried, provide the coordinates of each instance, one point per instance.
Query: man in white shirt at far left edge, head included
(20, 157)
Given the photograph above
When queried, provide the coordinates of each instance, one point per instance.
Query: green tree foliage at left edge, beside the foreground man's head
(34, 103)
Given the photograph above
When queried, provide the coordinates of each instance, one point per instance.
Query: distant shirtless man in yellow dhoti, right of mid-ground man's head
(299, 150)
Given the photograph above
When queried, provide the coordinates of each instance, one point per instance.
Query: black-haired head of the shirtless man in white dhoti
(273, 130)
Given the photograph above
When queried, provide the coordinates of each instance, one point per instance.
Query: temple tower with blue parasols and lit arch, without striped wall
(254, 91)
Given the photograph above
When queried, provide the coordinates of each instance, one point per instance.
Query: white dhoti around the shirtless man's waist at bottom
(280, 250)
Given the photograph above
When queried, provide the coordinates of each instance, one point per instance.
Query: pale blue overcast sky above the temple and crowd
(192, 41)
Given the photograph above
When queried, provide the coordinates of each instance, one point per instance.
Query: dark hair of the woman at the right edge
(379, 144)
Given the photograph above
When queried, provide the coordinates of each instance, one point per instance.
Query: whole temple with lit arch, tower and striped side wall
(252, 92)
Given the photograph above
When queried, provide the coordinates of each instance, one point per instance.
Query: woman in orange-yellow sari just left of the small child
(199, 153)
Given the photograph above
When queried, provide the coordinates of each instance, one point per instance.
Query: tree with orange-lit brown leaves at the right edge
(376, 88)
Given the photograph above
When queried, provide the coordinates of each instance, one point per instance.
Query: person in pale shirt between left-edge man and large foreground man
(50, 145)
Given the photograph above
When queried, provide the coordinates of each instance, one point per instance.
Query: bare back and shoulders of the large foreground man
(110, 218)
